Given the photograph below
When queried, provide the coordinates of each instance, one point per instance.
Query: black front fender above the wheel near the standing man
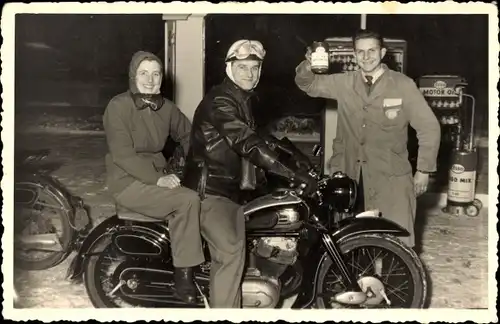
(367, 224)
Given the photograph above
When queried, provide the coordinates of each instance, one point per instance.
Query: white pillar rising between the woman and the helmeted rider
(189, 63)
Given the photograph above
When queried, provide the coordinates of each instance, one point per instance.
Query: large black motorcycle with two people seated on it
(297, 247)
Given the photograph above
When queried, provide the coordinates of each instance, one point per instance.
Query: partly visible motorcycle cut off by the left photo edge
(45, 229)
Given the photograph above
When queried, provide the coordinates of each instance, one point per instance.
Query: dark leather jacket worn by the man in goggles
(222, 133)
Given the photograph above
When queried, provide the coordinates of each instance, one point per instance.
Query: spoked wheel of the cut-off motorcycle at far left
(42, 229)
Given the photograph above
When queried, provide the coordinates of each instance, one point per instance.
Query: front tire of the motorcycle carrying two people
(387, 242)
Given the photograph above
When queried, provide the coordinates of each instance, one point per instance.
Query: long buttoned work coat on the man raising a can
(372, 135)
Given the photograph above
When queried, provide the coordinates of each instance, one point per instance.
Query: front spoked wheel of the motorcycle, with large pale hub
(389, 272)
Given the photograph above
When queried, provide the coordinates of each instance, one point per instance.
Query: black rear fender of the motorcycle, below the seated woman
(136, 234)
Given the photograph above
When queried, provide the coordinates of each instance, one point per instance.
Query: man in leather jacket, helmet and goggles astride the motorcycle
(226, 157)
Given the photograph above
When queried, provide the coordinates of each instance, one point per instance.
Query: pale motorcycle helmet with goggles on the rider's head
(244, 49)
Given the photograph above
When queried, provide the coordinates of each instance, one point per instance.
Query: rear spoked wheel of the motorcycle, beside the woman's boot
(113, 280)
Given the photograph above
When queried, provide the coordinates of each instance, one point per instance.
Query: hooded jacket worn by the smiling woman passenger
(136, 135)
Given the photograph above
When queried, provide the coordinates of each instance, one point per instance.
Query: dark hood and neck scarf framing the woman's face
(143, 100)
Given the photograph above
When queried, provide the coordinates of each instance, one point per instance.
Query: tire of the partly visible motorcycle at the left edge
(65, 213)
